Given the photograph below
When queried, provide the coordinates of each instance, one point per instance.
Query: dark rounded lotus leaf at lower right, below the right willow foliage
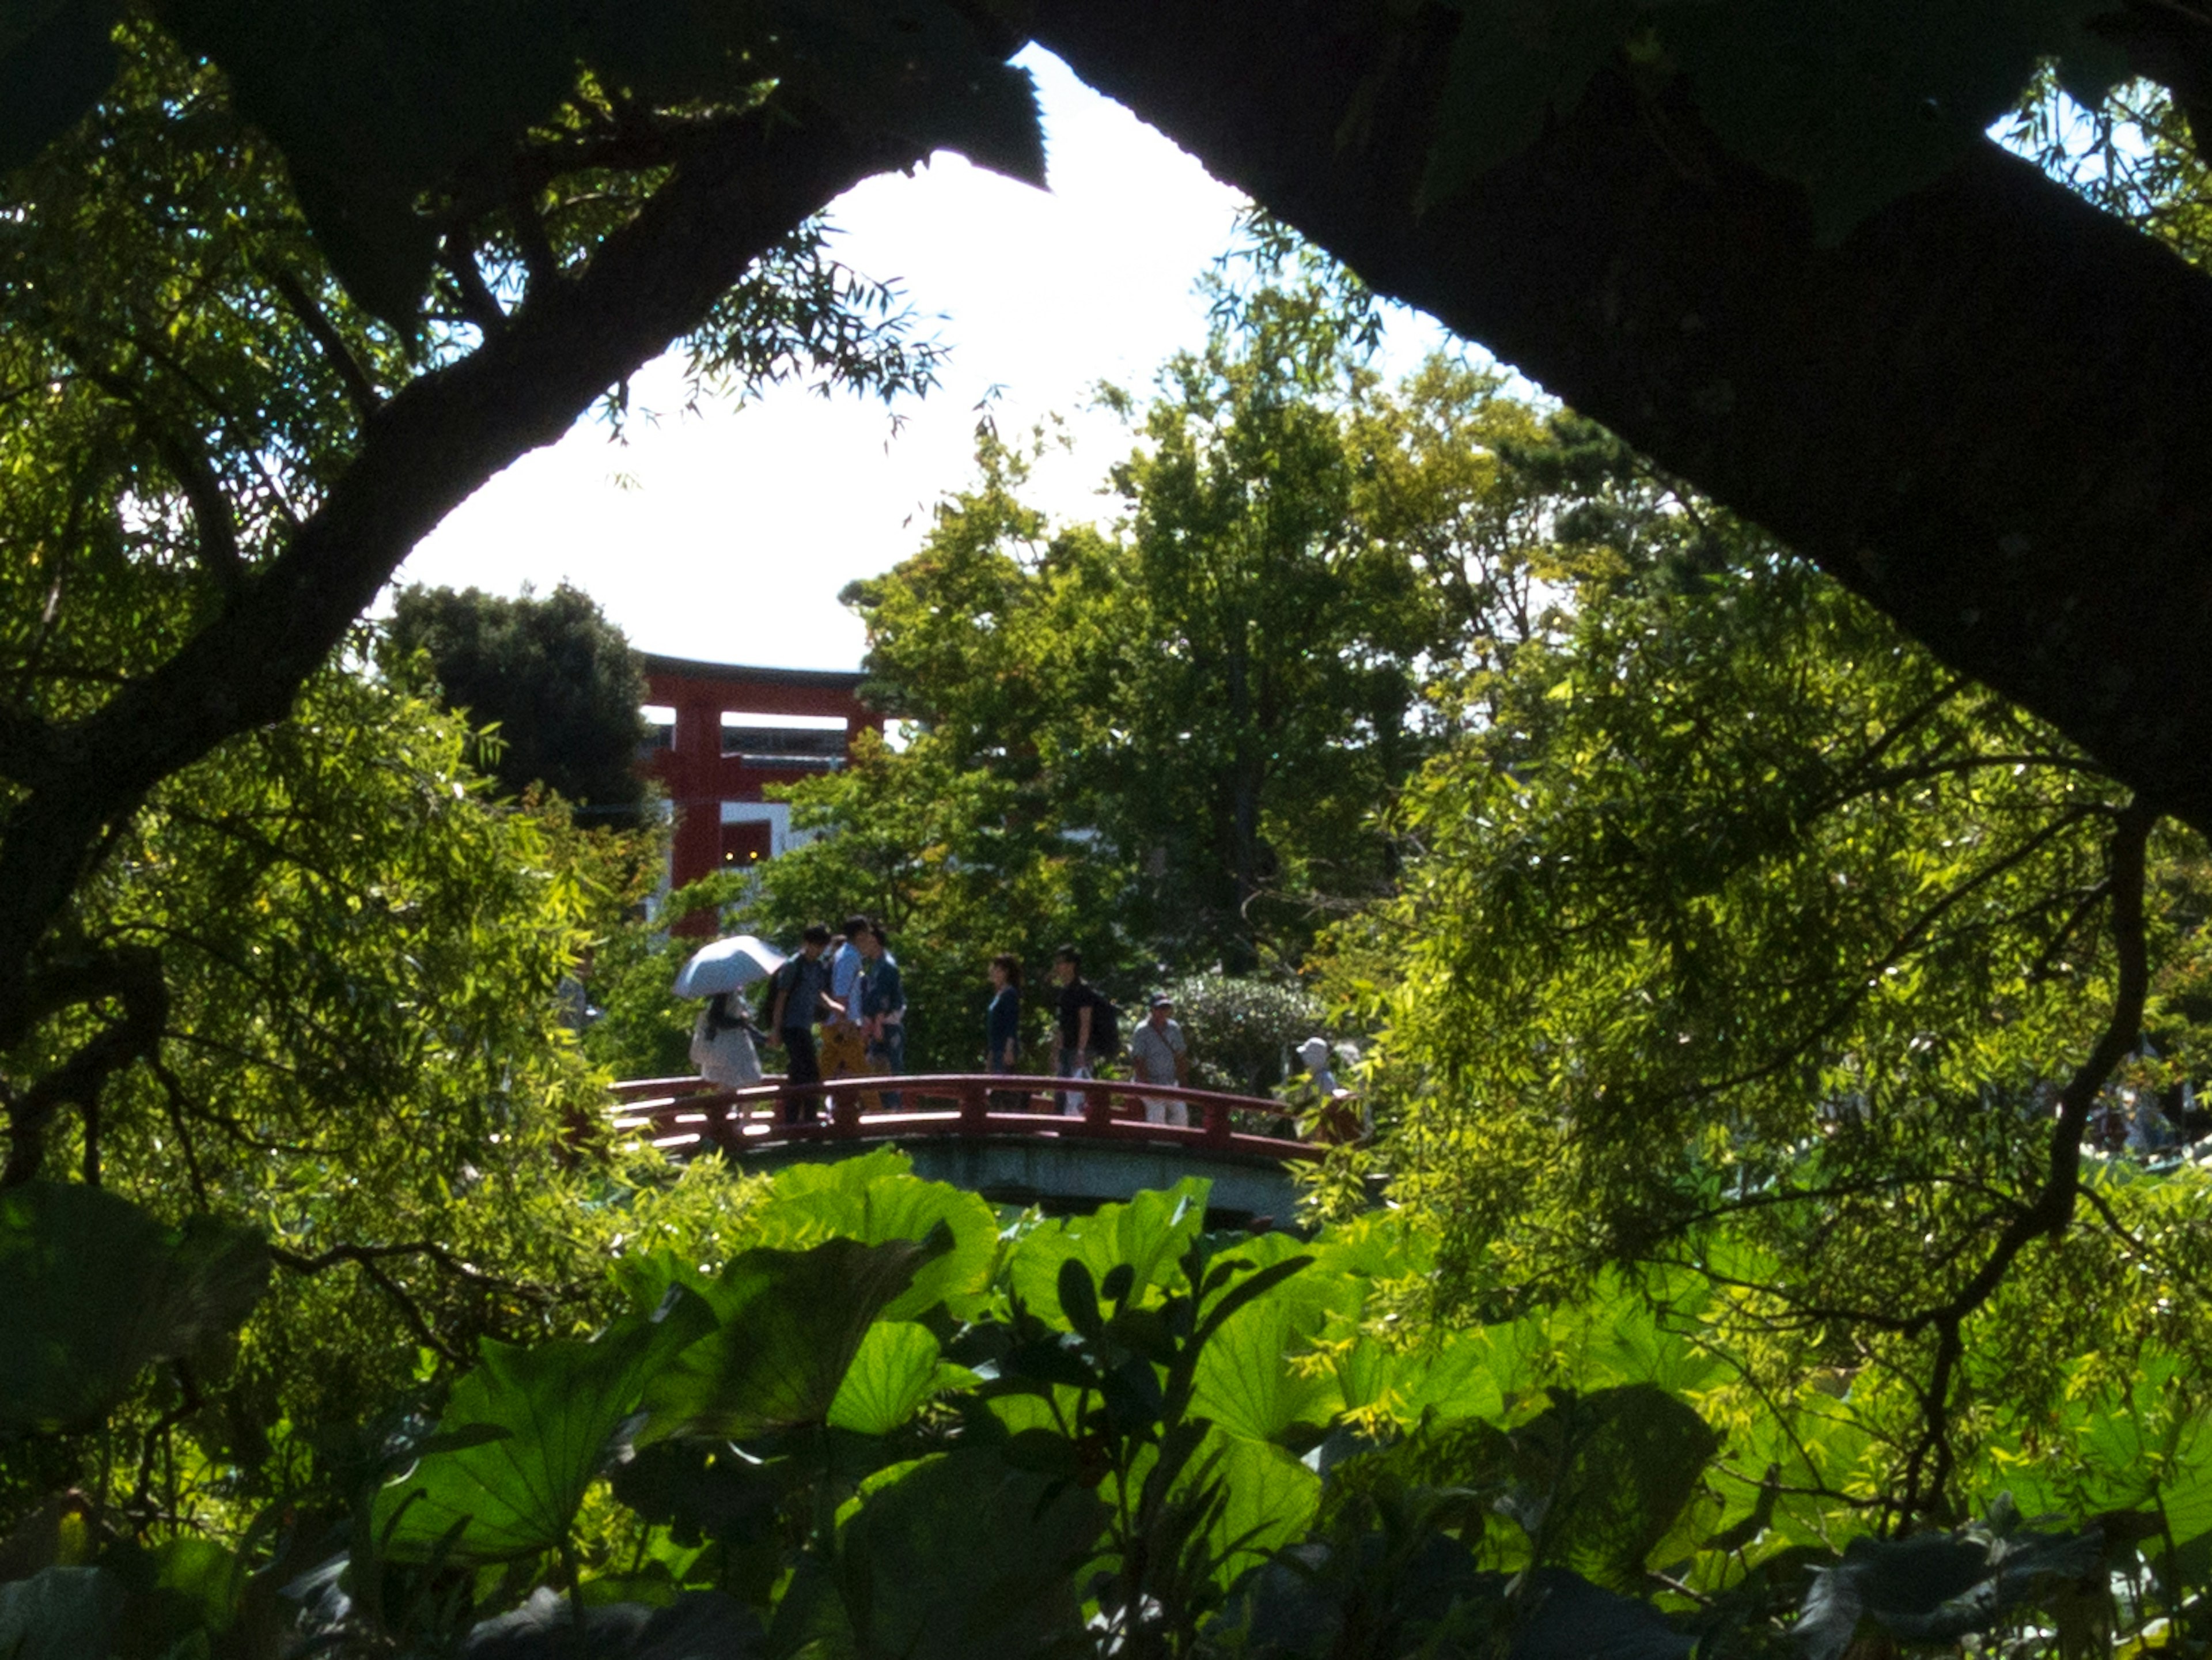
(1603, 1480)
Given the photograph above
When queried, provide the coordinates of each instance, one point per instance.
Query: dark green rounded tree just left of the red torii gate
(554, 678)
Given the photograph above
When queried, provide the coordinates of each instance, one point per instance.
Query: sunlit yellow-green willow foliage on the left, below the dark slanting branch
(362, 1064)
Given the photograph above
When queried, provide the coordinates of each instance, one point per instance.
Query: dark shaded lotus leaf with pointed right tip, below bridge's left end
(791, 1325)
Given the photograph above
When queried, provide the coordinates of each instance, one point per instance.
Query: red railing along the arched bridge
(682, 1112)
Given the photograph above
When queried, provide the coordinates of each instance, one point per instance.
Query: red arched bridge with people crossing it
(994, 1134)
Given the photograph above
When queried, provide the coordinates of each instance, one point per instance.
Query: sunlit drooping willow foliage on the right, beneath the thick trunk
(1757, 946)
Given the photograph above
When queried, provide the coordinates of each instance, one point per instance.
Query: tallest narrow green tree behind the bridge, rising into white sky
(1258, 694)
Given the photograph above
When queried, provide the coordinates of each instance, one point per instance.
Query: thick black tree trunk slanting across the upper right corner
(1987, 411)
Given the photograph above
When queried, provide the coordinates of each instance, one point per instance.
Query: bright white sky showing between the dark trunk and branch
(729, 535)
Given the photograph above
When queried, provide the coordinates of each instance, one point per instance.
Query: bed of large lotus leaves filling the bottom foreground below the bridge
(1136, 1440)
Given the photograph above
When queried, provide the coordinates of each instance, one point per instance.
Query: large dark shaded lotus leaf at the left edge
(94, 1289)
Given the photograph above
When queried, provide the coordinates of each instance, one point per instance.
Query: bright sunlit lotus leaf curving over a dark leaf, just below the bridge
(879, 1199)
